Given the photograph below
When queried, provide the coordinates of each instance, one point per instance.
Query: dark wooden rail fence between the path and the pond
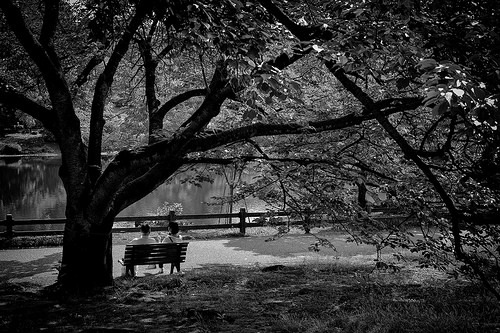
(9, 223)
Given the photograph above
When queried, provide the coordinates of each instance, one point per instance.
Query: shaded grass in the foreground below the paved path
(319, 298)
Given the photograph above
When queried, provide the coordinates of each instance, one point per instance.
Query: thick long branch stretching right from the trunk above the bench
(136, 163)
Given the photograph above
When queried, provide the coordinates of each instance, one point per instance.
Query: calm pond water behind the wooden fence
(30, 188)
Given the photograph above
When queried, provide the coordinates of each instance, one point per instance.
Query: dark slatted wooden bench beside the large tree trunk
(149, 254)
